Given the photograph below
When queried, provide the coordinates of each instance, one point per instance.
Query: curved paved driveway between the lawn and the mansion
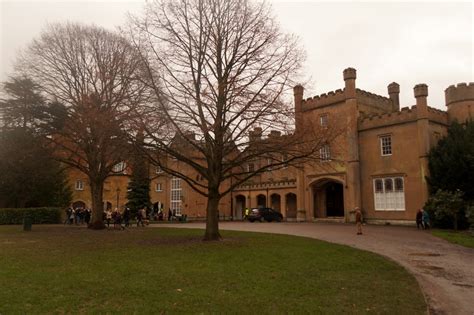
(444, 271)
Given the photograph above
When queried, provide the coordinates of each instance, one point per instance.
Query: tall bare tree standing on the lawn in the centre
(219, 69)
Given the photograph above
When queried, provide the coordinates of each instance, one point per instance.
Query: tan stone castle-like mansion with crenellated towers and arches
(379, 163)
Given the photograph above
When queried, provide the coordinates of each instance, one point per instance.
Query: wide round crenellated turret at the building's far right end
(460, 102)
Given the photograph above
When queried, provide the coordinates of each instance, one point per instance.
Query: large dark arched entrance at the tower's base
(328, 199)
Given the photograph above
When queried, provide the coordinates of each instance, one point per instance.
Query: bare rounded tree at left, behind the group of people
(91, 75)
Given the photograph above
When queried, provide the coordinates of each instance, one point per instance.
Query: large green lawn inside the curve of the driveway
(56, 269)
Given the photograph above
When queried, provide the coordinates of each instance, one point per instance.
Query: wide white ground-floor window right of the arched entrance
(389, 194)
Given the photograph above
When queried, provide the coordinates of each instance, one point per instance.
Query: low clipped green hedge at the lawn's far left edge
(38, 215)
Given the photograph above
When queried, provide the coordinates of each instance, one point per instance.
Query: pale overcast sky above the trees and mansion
(405, 42)
